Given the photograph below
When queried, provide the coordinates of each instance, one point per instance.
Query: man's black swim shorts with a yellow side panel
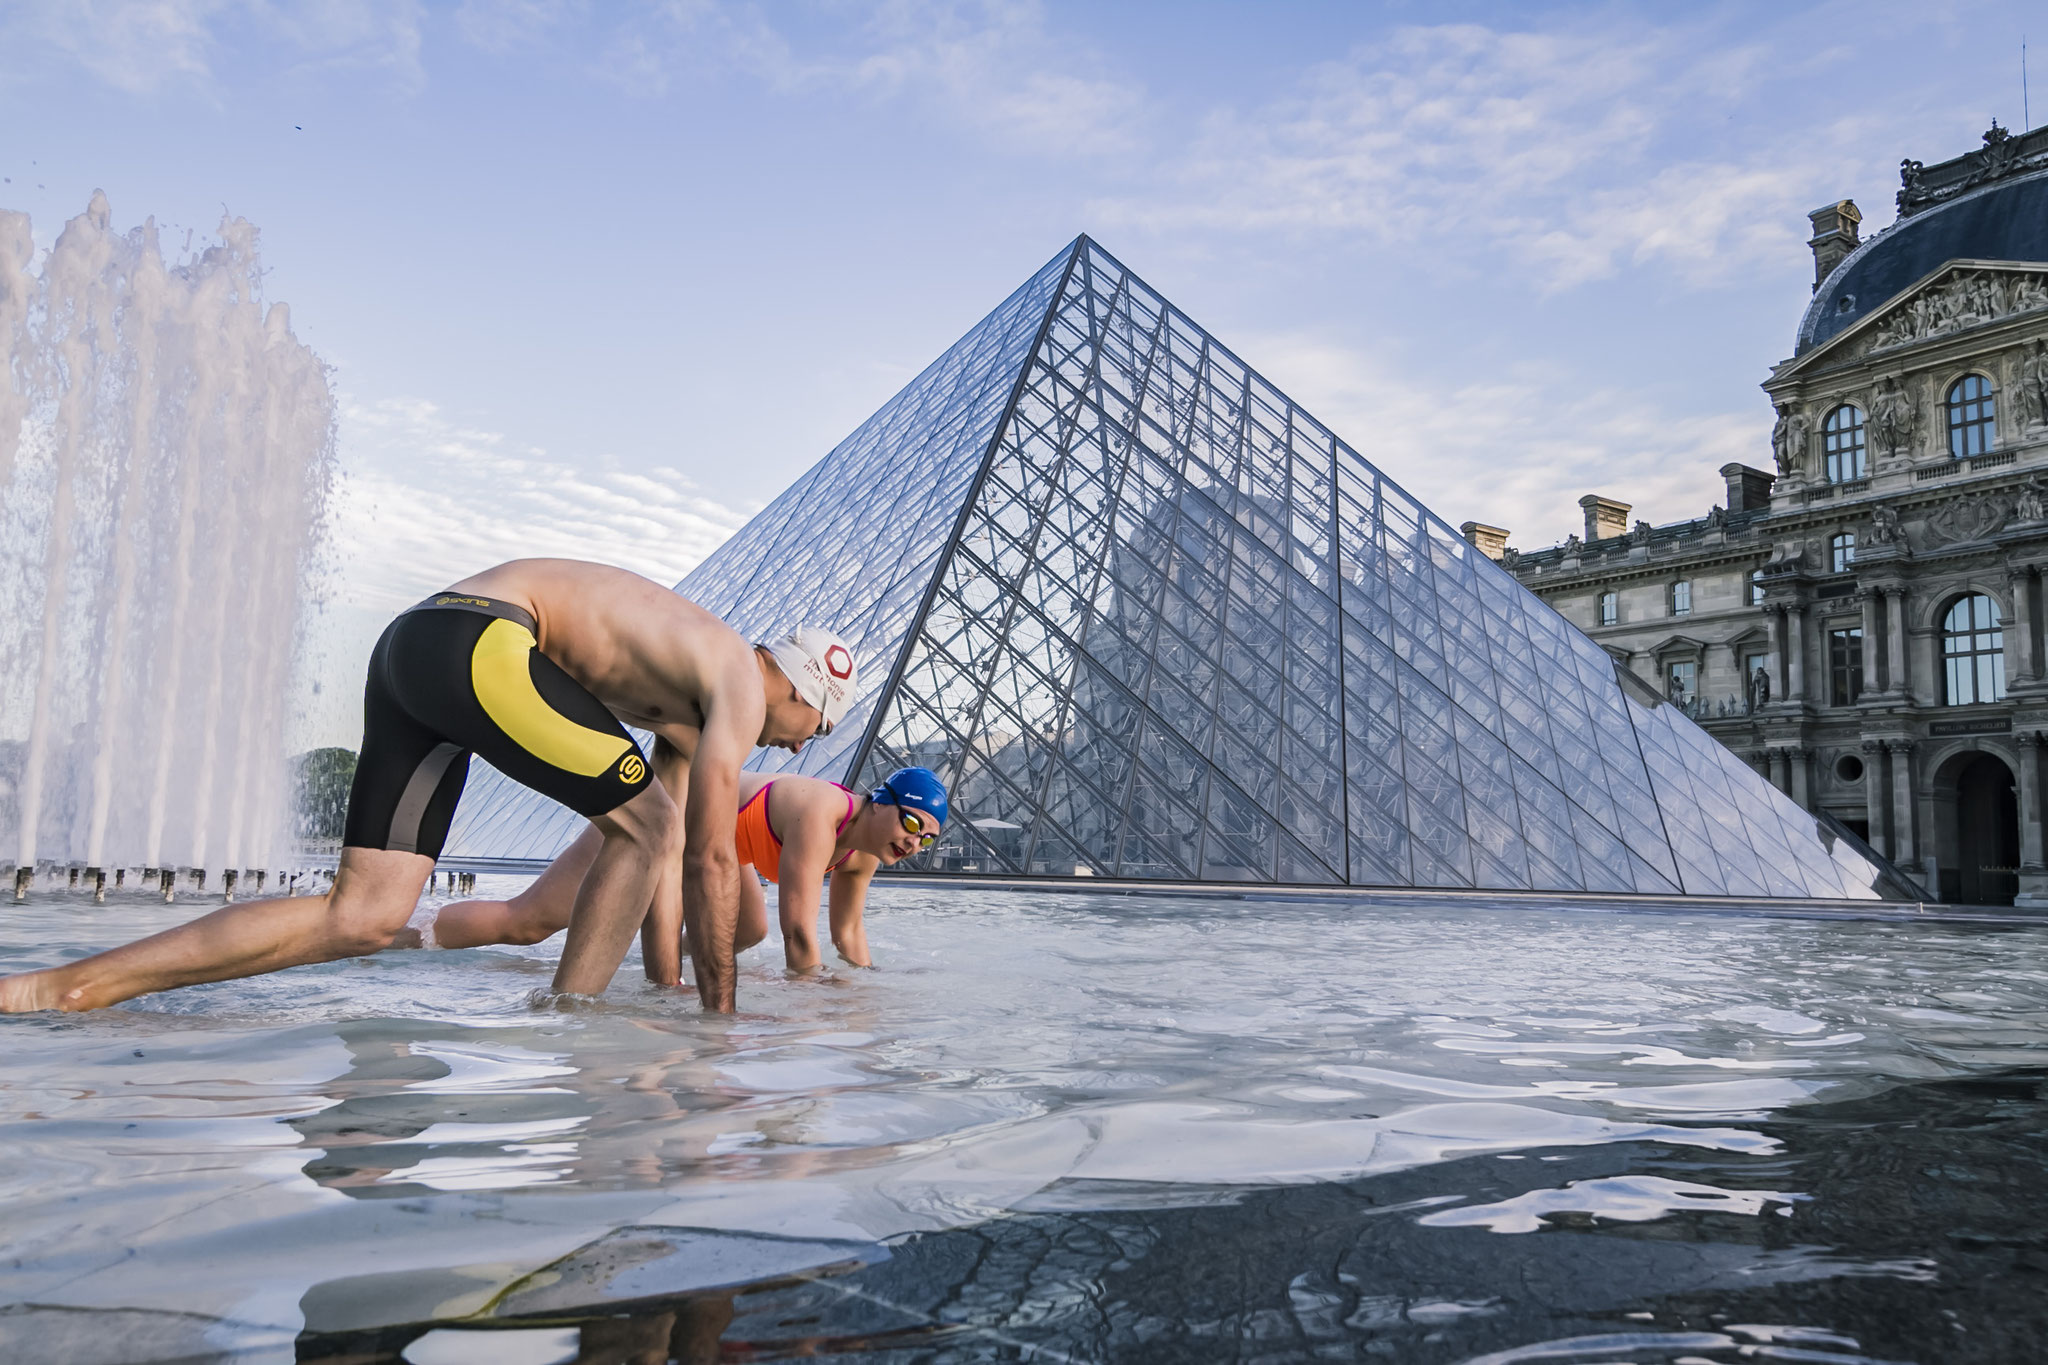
(460, 676)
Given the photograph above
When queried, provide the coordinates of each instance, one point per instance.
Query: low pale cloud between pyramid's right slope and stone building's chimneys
(1512, 451)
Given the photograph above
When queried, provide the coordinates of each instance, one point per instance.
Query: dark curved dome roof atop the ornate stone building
(2000, 222)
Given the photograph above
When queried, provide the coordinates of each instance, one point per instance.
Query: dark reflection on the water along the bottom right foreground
(1902, 1231)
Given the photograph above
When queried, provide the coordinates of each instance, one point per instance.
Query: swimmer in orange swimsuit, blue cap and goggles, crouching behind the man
(792, 830)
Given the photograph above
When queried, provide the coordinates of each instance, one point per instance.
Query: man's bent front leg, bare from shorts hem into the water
(613, 897)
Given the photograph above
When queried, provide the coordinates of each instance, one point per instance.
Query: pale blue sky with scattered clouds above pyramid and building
(601, 279)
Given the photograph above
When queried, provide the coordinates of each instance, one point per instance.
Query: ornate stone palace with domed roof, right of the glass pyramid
(1865, 625)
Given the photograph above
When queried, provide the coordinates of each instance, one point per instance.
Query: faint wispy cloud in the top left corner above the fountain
(151, 46)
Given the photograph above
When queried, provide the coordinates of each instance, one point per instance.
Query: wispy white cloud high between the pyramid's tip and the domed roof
(1553, 150)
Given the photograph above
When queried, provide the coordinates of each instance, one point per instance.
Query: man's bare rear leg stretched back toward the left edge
(370, 901)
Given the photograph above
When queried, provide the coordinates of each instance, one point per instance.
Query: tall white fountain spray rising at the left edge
(165, 459)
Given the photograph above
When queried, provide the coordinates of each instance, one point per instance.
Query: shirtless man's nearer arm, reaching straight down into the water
(710, 861)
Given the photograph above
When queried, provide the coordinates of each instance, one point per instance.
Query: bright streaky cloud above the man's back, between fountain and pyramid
(425, 502)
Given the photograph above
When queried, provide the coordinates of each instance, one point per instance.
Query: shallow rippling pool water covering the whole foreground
(1054, 1127)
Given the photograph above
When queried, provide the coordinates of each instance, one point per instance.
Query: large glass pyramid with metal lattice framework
(1150, 619)
